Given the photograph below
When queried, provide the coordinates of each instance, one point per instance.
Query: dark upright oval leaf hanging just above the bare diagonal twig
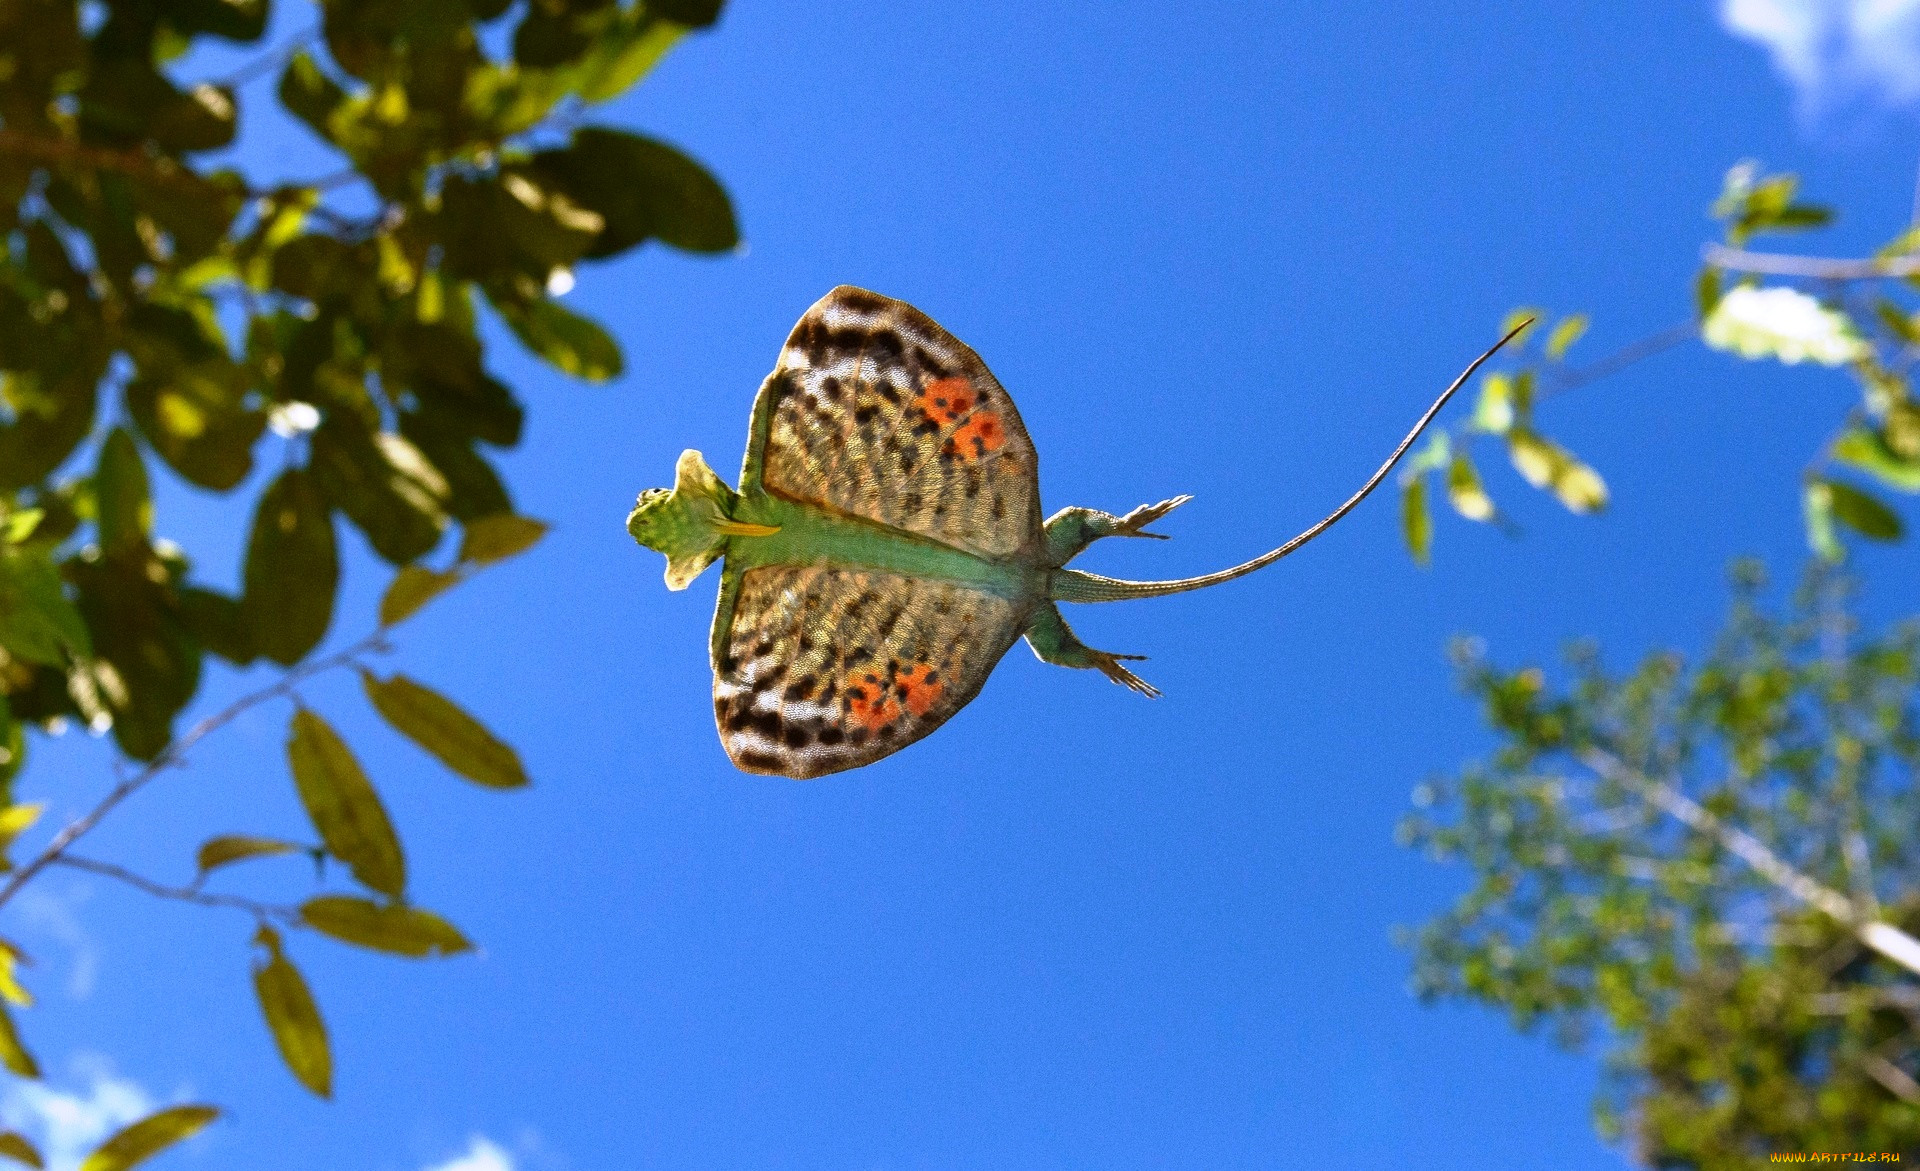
(293, 569)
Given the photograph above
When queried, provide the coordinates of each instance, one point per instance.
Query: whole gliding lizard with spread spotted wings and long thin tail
(886, 544)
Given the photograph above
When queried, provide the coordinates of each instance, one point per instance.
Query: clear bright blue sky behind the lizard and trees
(1226, 251)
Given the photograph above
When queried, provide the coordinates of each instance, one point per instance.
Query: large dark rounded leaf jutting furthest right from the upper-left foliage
(642, 189)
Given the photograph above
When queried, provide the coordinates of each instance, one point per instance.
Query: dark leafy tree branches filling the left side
(168, 316)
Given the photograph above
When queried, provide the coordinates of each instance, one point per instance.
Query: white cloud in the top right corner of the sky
(1836, 53)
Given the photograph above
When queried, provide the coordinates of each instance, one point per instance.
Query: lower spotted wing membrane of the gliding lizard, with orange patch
(827, 669)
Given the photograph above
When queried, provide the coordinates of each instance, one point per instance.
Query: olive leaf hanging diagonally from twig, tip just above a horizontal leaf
(345, 807)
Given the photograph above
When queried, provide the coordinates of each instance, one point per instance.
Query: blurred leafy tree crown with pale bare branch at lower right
(1685, 863)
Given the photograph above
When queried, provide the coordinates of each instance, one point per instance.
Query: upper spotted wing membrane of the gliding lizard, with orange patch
(880, 414)
